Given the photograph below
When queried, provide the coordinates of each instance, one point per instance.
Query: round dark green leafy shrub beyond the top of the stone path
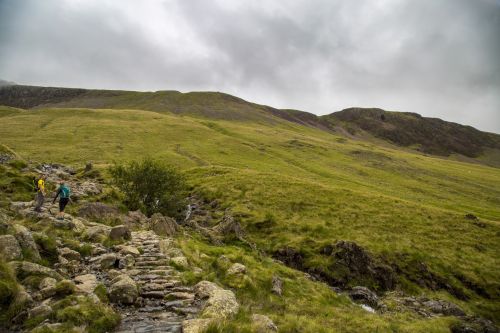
(151, 186)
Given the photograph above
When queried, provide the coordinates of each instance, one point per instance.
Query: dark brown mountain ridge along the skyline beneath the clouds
(428, 135)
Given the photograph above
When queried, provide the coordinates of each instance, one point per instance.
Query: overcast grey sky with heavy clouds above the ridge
(439, 58)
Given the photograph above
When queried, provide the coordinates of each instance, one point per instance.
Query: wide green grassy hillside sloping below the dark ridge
(305, 188)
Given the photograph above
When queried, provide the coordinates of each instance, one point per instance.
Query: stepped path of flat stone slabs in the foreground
(163, 302)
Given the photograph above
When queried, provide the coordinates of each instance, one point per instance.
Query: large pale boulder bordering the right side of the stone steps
(221, 303)
